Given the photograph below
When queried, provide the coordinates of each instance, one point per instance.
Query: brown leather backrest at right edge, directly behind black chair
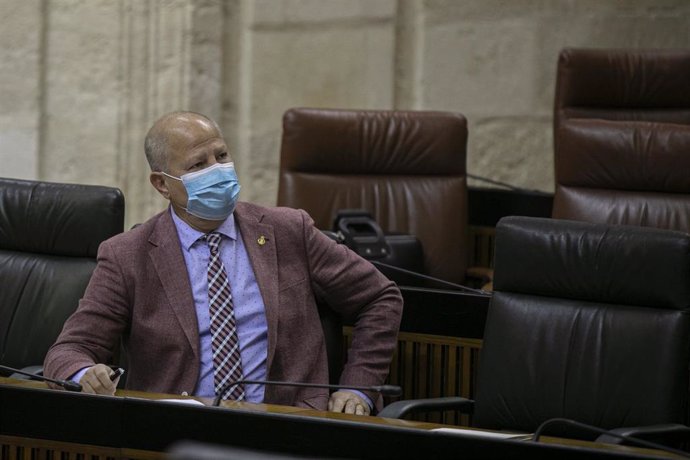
(623, 172)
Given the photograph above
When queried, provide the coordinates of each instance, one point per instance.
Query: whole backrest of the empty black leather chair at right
(588, 322)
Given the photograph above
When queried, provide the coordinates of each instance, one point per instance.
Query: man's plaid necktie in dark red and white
(227, 362)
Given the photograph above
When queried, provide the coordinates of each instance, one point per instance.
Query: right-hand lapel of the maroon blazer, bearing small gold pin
(260, 243)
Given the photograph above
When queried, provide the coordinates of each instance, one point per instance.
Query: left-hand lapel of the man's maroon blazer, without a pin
(168, 261)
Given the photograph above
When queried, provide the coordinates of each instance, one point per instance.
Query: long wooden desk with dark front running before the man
(36, 422)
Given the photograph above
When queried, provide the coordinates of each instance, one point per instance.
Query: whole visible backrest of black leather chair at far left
(49, 236)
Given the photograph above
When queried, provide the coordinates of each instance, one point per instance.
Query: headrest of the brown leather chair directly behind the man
(334, 141)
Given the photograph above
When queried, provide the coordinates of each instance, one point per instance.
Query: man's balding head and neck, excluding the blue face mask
(180, 143)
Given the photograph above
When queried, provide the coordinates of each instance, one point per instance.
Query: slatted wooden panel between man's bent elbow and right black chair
(432, 366)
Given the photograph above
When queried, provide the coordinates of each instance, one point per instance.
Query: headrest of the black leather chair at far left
(58, 219)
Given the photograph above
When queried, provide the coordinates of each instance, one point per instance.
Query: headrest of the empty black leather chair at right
(615, 264)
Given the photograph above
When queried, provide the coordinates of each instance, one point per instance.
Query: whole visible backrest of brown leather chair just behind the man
(406, 168)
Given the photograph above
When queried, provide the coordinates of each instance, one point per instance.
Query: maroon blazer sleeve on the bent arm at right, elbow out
(353, 287)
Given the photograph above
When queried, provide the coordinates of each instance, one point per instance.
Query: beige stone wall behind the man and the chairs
(81, 80)
